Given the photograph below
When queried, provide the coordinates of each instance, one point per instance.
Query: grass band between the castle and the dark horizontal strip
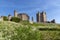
(42, 25)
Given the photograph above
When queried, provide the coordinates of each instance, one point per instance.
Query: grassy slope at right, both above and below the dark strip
(47, 34)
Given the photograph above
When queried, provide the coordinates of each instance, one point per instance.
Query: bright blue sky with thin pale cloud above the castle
(31, 7)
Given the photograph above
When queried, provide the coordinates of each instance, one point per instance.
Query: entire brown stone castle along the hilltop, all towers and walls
(40, 17)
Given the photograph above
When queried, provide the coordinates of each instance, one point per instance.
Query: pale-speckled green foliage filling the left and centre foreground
(15, 31)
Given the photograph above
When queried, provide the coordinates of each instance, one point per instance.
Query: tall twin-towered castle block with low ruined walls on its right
(41, 17)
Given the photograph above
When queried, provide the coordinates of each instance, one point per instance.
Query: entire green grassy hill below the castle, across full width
(27, 31)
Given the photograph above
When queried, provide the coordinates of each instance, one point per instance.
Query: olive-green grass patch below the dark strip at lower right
(50, 35)
